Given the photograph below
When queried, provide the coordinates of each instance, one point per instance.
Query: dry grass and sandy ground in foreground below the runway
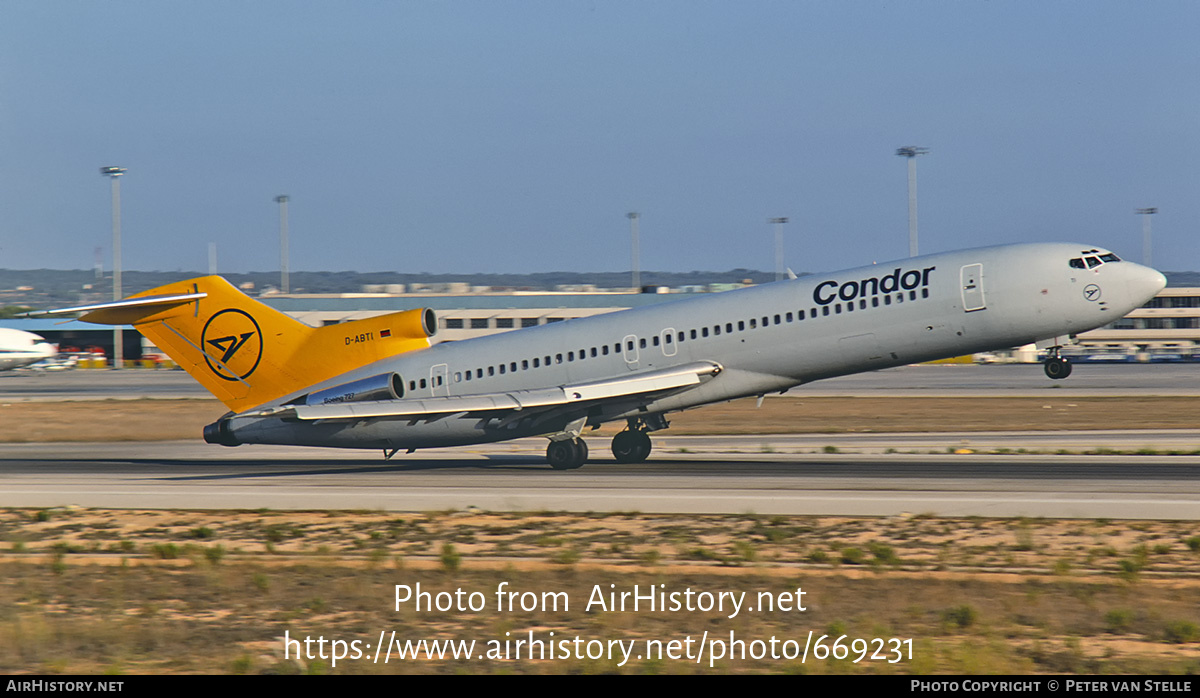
(142, 592)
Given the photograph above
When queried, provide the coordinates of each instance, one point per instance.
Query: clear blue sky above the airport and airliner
(515, 136)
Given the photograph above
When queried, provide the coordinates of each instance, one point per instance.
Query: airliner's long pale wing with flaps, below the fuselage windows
(632, 390)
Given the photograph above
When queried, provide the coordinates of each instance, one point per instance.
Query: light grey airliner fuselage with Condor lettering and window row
(766, 339)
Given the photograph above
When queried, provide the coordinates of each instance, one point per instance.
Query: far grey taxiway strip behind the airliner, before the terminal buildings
(997, 381)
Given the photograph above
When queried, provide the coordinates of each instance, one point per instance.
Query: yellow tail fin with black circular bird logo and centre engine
(247, 353)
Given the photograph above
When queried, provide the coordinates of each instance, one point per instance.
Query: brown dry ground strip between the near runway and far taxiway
(185, 419)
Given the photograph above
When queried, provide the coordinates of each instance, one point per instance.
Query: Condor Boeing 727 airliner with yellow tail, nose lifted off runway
(380, 384)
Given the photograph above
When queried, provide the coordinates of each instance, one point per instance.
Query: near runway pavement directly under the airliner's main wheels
(687, 476)
